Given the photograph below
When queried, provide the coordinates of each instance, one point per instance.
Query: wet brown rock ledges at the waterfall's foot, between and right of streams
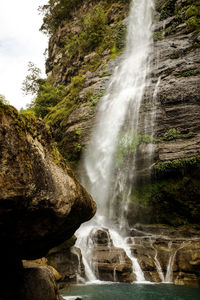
(165, 254)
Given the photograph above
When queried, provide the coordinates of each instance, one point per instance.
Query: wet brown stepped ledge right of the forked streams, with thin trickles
(168, 254)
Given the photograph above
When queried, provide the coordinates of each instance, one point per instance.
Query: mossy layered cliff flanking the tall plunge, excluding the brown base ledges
(177, 131)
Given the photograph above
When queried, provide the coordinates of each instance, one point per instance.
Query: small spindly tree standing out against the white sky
(33, 81)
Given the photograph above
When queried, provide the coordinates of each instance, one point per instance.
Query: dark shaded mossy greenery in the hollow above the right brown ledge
(173, 201)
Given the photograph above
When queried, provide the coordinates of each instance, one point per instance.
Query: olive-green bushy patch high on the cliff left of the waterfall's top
(94, 34)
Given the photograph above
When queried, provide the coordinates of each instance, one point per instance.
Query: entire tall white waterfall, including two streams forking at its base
(110, 160)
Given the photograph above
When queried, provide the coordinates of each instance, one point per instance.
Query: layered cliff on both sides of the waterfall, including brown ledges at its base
(84, 49)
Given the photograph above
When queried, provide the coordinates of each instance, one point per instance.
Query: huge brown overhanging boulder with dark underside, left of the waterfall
(41, 201)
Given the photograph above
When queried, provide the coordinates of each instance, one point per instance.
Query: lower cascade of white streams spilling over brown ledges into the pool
(142, 257)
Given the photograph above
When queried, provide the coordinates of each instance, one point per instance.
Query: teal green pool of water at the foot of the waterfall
(131, 292)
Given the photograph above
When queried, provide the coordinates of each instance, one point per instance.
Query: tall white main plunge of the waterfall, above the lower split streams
(119, 108)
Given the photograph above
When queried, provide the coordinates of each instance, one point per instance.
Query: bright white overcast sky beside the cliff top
(20, 42)
